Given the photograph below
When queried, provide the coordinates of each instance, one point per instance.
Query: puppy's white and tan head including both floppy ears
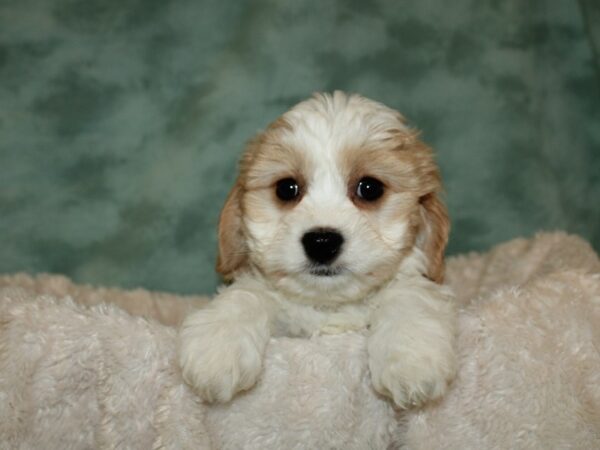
(333, 199)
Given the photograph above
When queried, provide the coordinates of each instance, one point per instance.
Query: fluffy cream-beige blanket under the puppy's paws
(96, 368)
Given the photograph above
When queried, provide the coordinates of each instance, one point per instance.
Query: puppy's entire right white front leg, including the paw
(411, 342)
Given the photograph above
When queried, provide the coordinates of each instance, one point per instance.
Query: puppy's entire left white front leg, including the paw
(221, 346)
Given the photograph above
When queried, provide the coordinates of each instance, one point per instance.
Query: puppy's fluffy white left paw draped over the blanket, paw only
(219, 359)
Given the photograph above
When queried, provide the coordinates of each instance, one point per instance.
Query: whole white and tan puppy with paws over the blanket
(334, 224)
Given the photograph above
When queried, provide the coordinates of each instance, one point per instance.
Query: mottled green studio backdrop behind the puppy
(121, 120)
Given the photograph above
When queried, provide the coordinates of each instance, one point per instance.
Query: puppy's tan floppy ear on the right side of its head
(434, 237)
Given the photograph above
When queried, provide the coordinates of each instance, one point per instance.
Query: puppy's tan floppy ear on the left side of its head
(232, 247)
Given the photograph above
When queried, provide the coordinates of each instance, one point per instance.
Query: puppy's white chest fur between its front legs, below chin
(296, 319)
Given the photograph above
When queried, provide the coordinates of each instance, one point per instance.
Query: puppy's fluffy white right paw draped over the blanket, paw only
(410, 376)
